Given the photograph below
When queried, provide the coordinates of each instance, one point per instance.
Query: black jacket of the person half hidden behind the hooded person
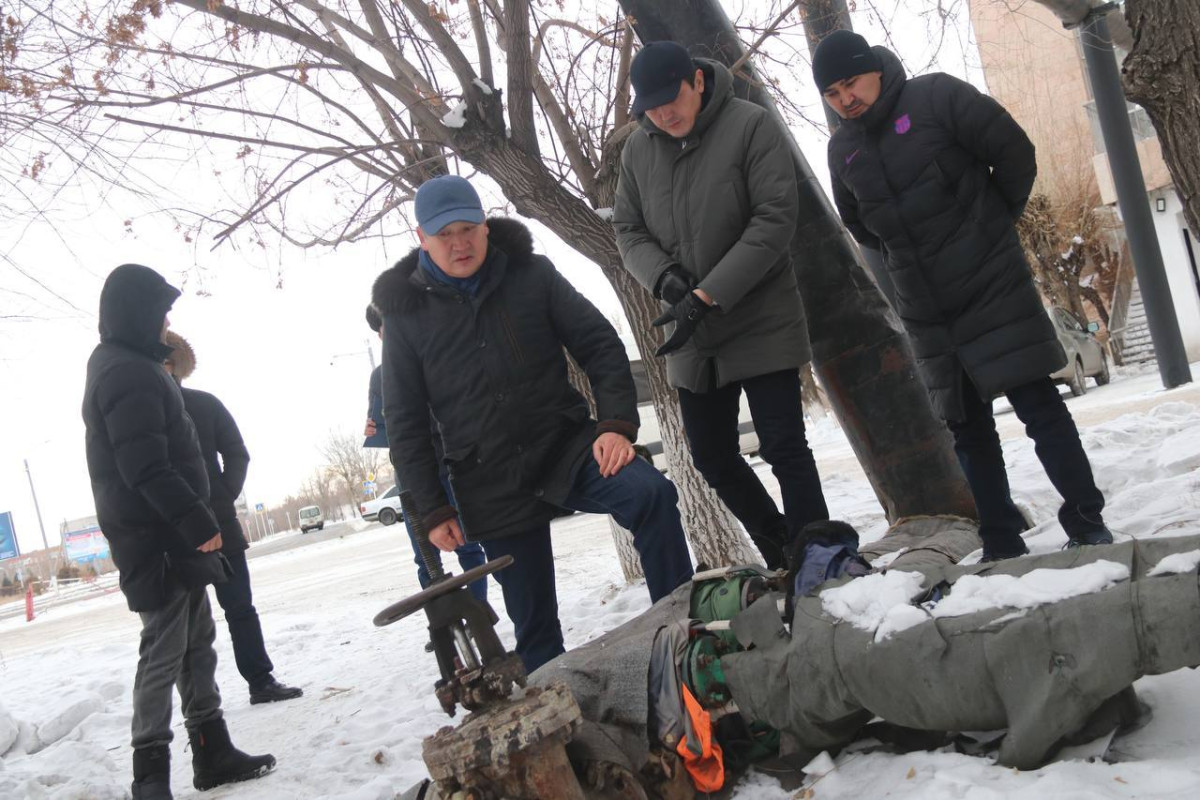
(219, 435)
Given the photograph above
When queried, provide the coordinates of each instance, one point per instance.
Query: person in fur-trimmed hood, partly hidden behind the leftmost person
(227, 460)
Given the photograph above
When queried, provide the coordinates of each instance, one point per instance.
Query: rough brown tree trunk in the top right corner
(1162, 75)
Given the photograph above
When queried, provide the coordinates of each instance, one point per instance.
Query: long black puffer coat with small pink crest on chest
(937, 175)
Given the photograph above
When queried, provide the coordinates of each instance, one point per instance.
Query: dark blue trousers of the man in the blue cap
(640, 500)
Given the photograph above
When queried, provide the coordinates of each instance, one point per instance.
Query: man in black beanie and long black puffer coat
(935, 175)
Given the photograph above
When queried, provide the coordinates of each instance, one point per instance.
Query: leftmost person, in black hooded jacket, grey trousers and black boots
(152, 492)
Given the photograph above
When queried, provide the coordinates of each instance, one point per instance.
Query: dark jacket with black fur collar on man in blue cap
(493, 371)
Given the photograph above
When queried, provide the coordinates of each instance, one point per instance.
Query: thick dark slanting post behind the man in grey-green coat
(860, 351)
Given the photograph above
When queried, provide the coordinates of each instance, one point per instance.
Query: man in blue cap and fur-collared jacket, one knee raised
(476, 326)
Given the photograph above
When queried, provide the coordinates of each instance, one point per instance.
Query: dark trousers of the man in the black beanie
(1057, 443)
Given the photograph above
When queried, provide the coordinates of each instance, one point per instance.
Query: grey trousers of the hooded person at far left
(176, 653)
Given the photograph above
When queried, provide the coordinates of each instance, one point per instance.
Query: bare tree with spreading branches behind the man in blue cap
(343, 110)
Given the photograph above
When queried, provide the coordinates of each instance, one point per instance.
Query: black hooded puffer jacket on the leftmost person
(147, 472)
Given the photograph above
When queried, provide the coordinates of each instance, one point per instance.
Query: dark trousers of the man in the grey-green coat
(711, 422)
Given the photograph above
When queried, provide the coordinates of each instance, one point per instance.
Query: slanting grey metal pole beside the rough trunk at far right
(1131, 185)
